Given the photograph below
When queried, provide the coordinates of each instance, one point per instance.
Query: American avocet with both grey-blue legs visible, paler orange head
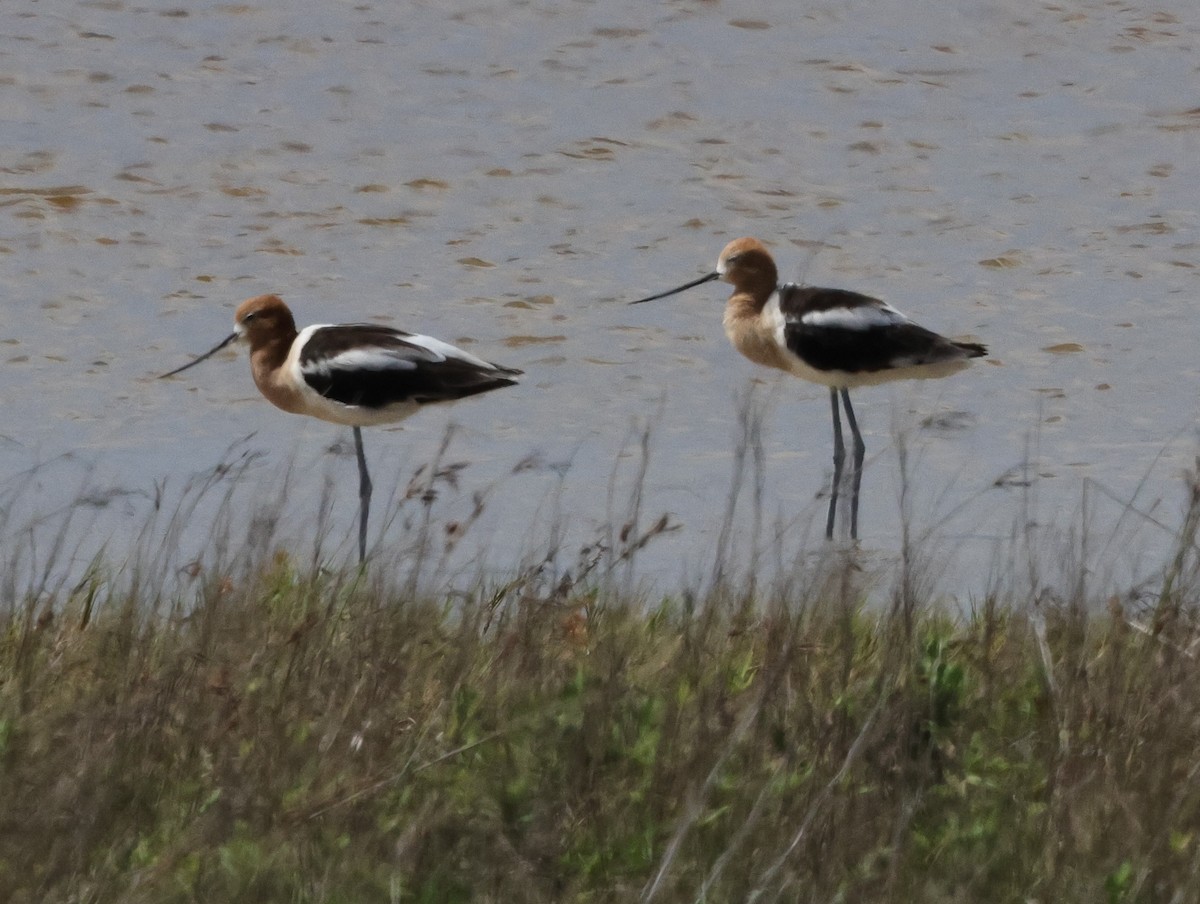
(835, 338)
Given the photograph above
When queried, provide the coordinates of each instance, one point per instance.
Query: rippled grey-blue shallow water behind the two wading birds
(508, 176)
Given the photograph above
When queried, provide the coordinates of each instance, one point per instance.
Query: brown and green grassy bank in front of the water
(322, 737)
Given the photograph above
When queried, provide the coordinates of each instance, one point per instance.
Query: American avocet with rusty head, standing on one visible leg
(353, 374)
